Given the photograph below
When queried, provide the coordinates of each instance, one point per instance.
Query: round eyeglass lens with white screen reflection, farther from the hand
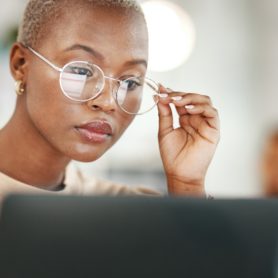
(81, 81)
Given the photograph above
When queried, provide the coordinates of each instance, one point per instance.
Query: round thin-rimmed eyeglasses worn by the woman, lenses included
(82, 81)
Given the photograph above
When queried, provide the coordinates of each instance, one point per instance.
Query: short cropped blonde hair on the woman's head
(39, 13)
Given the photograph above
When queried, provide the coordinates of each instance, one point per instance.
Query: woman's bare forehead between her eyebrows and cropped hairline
(114, 32)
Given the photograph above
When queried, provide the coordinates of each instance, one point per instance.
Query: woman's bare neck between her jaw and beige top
(27, 157)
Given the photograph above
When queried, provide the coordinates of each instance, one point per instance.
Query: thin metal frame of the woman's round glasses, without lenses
(149, 81)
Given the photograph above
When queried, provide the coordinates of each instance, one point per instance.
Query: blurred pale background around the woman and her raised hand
(227, 49)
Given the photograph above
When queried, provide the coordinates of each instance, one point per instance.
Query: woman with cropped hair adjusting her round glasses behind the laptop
(79, 68)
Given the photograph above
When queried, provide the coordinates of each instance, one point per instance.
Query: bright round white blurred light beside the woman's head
(168, 23)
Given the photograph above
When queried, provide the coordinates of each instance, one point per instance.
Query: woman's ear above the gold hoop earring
(19, 62)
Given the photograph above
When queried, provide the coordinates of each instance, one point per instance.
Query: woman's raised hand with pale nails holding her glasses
(187, 150)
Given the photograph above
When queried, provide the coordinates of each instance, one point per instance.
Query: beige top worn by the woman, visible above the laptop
(75, 184)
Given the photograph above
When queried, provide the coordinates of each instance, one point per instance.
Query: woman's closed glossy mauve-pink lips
(96, 132)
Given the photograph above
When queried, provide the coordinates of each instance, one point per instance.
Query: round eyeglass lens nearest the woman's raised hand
(137, 96)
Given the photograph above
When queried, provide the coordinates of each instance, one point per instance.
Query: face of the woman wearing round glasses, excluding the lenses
(109, 38)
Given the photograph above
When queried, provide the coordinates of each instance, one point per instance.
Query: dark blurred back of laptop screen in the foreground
(127, 237)
